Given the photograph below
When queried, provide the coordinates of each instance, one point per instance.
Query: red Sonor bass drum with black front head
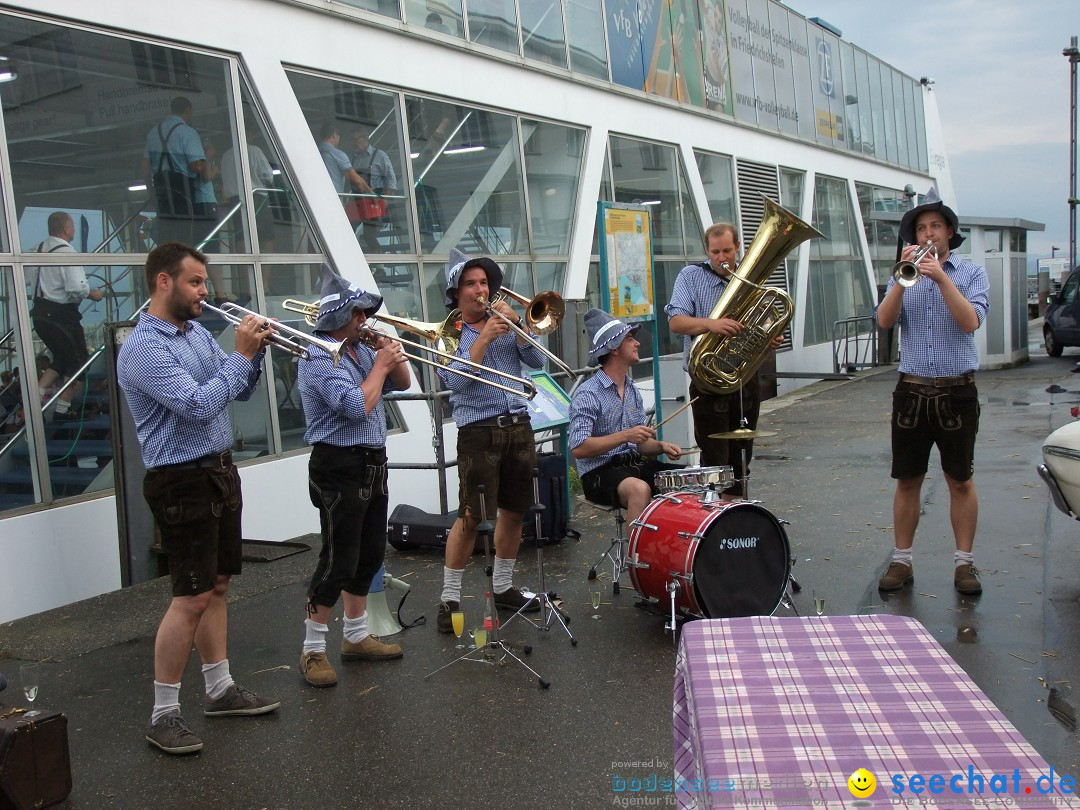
(730, 559)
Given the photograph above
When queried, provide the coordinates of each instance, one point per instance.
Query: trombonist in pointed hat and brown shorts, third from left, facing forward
(495, 439)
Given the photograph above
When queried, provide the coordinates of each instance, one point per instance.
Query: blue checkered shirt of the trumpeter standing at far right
(931, 344)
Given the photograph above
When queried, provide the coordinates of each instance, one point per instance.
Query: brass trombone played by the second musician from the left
(444, 334)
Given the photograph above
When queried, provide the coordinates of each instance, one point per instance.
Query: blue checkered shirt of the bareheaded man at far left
(179, 385)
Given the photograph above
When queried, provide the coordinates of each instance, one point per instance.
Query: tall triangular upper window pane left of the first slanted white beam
(280, 223)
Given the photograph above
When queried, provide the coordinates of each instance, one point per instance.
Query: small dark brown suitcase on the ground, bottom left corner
(35, 761)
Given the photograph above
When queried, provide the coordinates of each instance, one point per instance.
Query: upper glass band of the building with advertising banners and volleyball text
(755, 60)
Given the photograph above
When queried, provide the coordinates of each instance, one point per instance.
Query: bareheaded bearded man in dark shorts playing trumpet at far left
(179, 385)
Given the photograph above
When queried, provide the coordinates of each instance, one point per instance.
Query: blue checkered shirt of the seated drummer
(598, 411)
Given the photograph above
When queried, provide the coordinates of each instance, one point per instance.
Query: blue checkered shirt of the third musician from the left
(475, 401)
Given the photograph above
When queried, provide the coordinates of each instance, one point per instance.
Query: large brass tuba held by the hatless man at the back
(721, 364)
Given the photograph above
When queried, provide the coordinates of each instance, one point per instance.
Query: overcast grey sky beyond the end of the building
(1003, 89)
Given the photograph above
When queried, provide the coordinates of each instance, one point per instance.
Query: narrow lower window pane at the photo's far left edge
(17, 477)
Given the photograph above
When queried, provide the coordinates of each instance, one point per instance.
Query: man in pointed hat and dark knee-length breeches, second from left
(347, 472)
